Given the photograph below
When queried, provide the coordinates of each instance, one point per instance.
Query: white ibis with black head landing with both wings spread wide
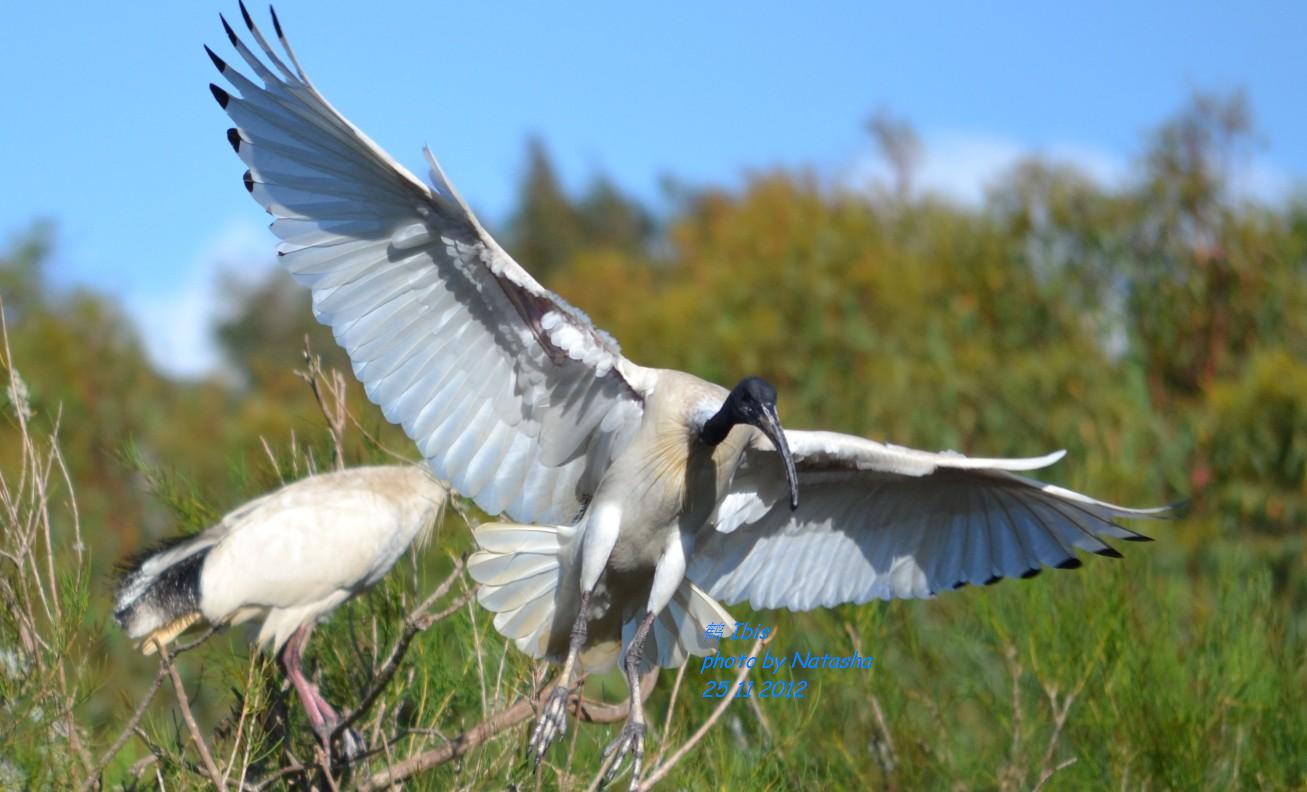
(641, 496)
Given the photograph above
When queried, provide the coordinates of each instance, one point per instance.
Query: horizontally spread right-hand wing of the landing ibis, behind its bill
(884, 522)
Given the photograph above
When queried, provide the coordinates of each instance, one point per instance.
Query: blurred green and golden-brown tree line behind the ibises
(1157, 330)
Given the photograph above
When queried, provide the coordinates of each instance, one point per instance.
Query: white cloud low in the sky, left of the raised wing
(178, 322)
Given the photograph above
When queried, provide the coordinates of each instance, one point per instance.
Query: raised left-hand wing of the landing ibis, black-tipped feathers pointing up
(510, 394)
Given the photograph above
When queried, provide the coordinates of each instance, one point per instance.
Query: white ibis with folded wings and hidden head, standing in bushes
(291, 559)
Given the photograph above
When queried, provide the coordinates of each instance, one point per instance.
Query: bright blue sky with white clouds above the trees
(109, 129)
